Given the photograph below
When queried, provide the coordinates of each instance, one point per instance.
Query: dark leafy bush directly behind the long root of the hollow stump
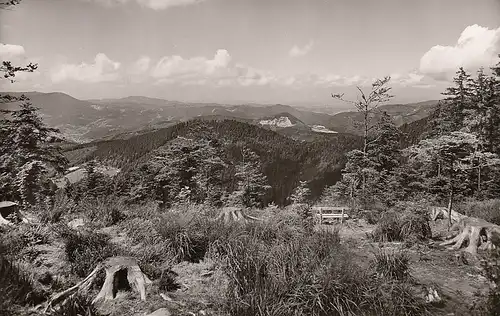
(84, 250)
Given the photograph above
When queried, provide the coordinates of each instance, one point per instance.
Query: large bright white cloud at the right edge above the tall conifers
(476, 47)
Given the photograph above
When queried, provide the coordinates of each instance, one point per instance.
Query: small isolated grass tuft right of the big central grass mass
(392, 264)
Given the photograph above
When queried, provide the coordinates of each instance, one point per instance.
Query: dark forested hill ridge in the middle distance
(284, 161)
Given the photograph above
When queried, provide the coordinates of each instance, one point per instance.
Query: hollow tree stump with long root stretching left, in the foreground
(120, 272)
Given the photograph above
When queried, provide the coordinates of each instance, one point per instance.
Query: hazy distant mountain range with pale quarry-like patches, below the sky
(87, 120)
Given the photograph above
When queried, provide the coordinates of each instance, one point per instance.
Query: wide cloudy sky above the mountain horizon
(266, 51)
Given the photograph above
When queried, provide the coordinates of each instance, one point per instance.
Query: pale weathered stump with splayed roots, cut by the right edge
(474, 233)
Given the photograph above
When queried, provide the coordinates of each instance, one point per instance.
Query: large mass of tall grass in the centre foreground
(282, 271)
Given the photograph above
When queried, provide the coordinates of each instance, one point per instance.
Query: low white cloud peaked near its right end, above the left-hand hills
(103, 69)
